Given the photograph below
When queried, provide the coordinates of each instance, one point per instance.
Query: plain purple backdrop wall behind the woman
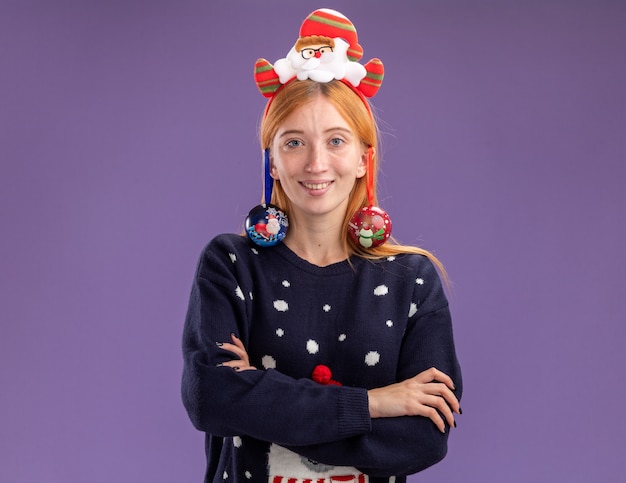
(128, 139)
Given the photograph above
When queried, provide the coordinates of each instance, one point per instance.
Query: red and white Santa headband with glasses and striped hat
(327, 49)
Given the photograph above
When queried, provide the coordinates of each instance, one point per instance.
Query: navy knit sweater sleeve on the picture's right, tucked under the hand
(404, 445)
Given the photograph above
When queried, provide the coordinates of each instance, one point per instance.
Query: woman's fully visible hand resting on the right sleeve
(428, 394)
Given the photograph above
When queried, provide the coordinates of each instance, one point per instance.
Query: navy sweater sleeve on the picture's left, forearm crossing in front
(263, 404)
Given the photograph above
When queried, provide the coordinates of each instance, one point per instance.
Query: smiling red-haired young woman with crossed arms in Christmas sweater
(327, 357)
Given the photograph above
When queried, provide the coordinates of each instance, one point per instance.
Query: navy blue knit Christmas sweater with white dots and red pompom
(367, 324)
